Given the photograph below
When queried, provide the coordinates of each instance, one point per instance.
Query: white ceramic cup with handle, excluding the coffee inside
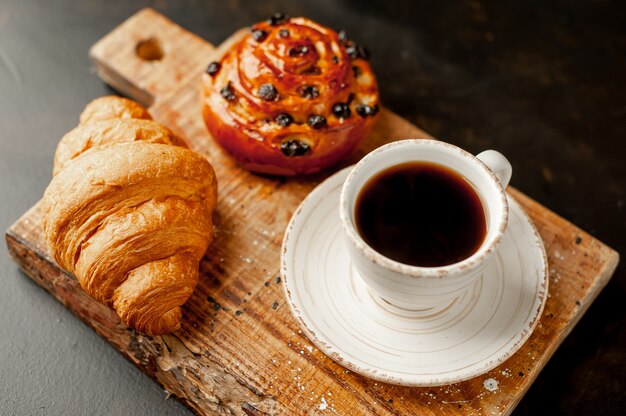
(413, 287)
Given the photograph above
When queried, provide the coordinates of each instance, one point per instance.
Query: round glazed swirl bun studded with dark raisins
(289, 96)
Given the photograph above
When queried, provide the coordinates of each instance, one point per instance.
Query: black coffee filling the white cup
(422, 214)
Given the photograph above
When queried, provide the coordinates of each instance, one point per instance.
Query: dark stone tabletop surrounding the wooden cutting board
(543, 82)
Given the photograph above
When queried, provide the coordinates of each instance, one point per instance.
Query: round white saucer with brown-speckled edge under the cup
(362, 332)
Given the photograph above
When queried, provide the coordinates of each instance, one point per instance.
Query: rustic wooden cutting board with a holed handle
(239, 350)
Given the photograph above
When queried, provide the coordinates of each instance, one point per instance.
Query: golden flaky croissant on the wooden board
(128, 212)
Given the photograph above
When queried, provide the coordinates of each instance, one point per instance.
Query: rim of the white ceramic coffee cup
(462, 267)
